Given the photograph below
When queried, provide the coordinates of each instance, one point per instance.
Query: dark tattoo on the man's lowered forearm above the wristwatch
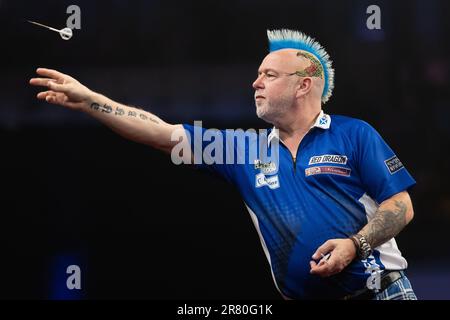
(385, 225)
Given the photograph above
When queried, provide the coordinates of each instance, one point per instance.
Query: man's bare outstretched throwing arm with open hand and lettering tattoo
(132, 123)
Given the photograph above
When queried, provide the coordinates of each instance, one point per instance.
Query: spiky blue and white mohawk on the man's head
(291, 39)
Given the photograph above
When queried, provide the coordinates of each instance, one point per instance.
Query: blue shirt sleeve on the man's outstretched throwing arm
(211, 151)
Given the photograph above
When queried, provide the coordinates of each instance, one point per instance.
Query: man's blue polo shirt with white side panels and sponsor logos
(342, 171)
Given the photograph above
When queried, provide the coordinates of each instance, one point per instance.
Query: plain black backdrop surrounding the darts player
(140, 227)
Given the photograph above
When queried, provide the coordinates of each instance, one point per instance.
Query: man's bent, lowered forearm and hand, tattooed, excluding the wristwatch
(392, 216)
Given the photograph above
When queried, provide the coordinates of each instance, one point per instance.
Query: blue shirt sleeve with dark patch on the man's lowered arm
(382, 173)
